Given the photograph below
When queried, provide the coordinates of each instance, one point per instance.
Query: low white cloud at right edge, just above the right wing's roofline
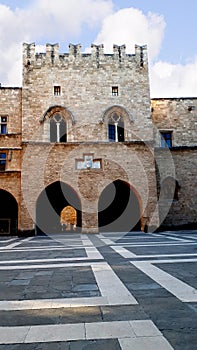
(168, 80)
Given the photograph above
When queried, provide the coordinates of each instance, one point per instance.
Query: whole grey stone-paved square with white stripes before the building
(107, 291)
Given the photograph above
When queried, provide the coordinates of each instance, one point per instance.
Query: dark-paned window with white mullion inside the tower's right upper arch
(115, 128)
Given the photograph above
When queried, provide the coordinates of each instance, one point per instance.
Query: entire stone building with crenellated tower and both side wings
(83, 148)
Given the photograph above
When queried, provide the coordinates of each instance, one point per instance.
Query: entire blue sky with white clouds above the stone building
(167, 27)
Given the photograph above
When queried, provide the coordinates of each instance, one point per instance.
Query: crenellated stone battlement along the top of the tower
(97, 56)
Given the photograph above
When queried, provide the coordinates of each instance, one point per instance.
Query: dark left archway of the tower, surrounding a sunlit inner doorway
(50, 204)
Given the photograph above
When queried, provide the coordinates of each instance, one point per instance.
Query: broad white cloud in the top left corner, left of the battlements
(47, 20)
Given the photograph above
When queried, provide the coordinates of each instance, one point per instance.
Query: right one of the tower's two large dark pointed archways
(118, 209)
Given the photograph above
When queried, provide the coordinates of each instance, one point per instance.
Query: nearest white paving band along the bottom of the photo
(127, 332)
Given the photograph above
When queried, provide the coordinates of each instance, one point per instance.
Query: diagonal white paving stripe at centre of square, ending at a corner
(111, 286)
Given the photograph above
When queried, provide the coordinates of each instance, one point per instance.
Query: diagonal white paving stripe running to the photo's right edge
(179, 289)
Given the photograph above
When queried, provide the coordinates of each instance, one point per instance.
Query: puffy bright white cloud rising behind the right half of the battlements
(130, 26)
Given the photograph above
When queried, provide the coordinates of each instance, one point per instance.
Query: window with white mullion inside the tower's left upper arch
(58, 132)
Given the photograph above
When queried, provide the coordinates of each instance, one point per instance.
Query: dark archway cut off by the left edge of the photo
(8, 213)
